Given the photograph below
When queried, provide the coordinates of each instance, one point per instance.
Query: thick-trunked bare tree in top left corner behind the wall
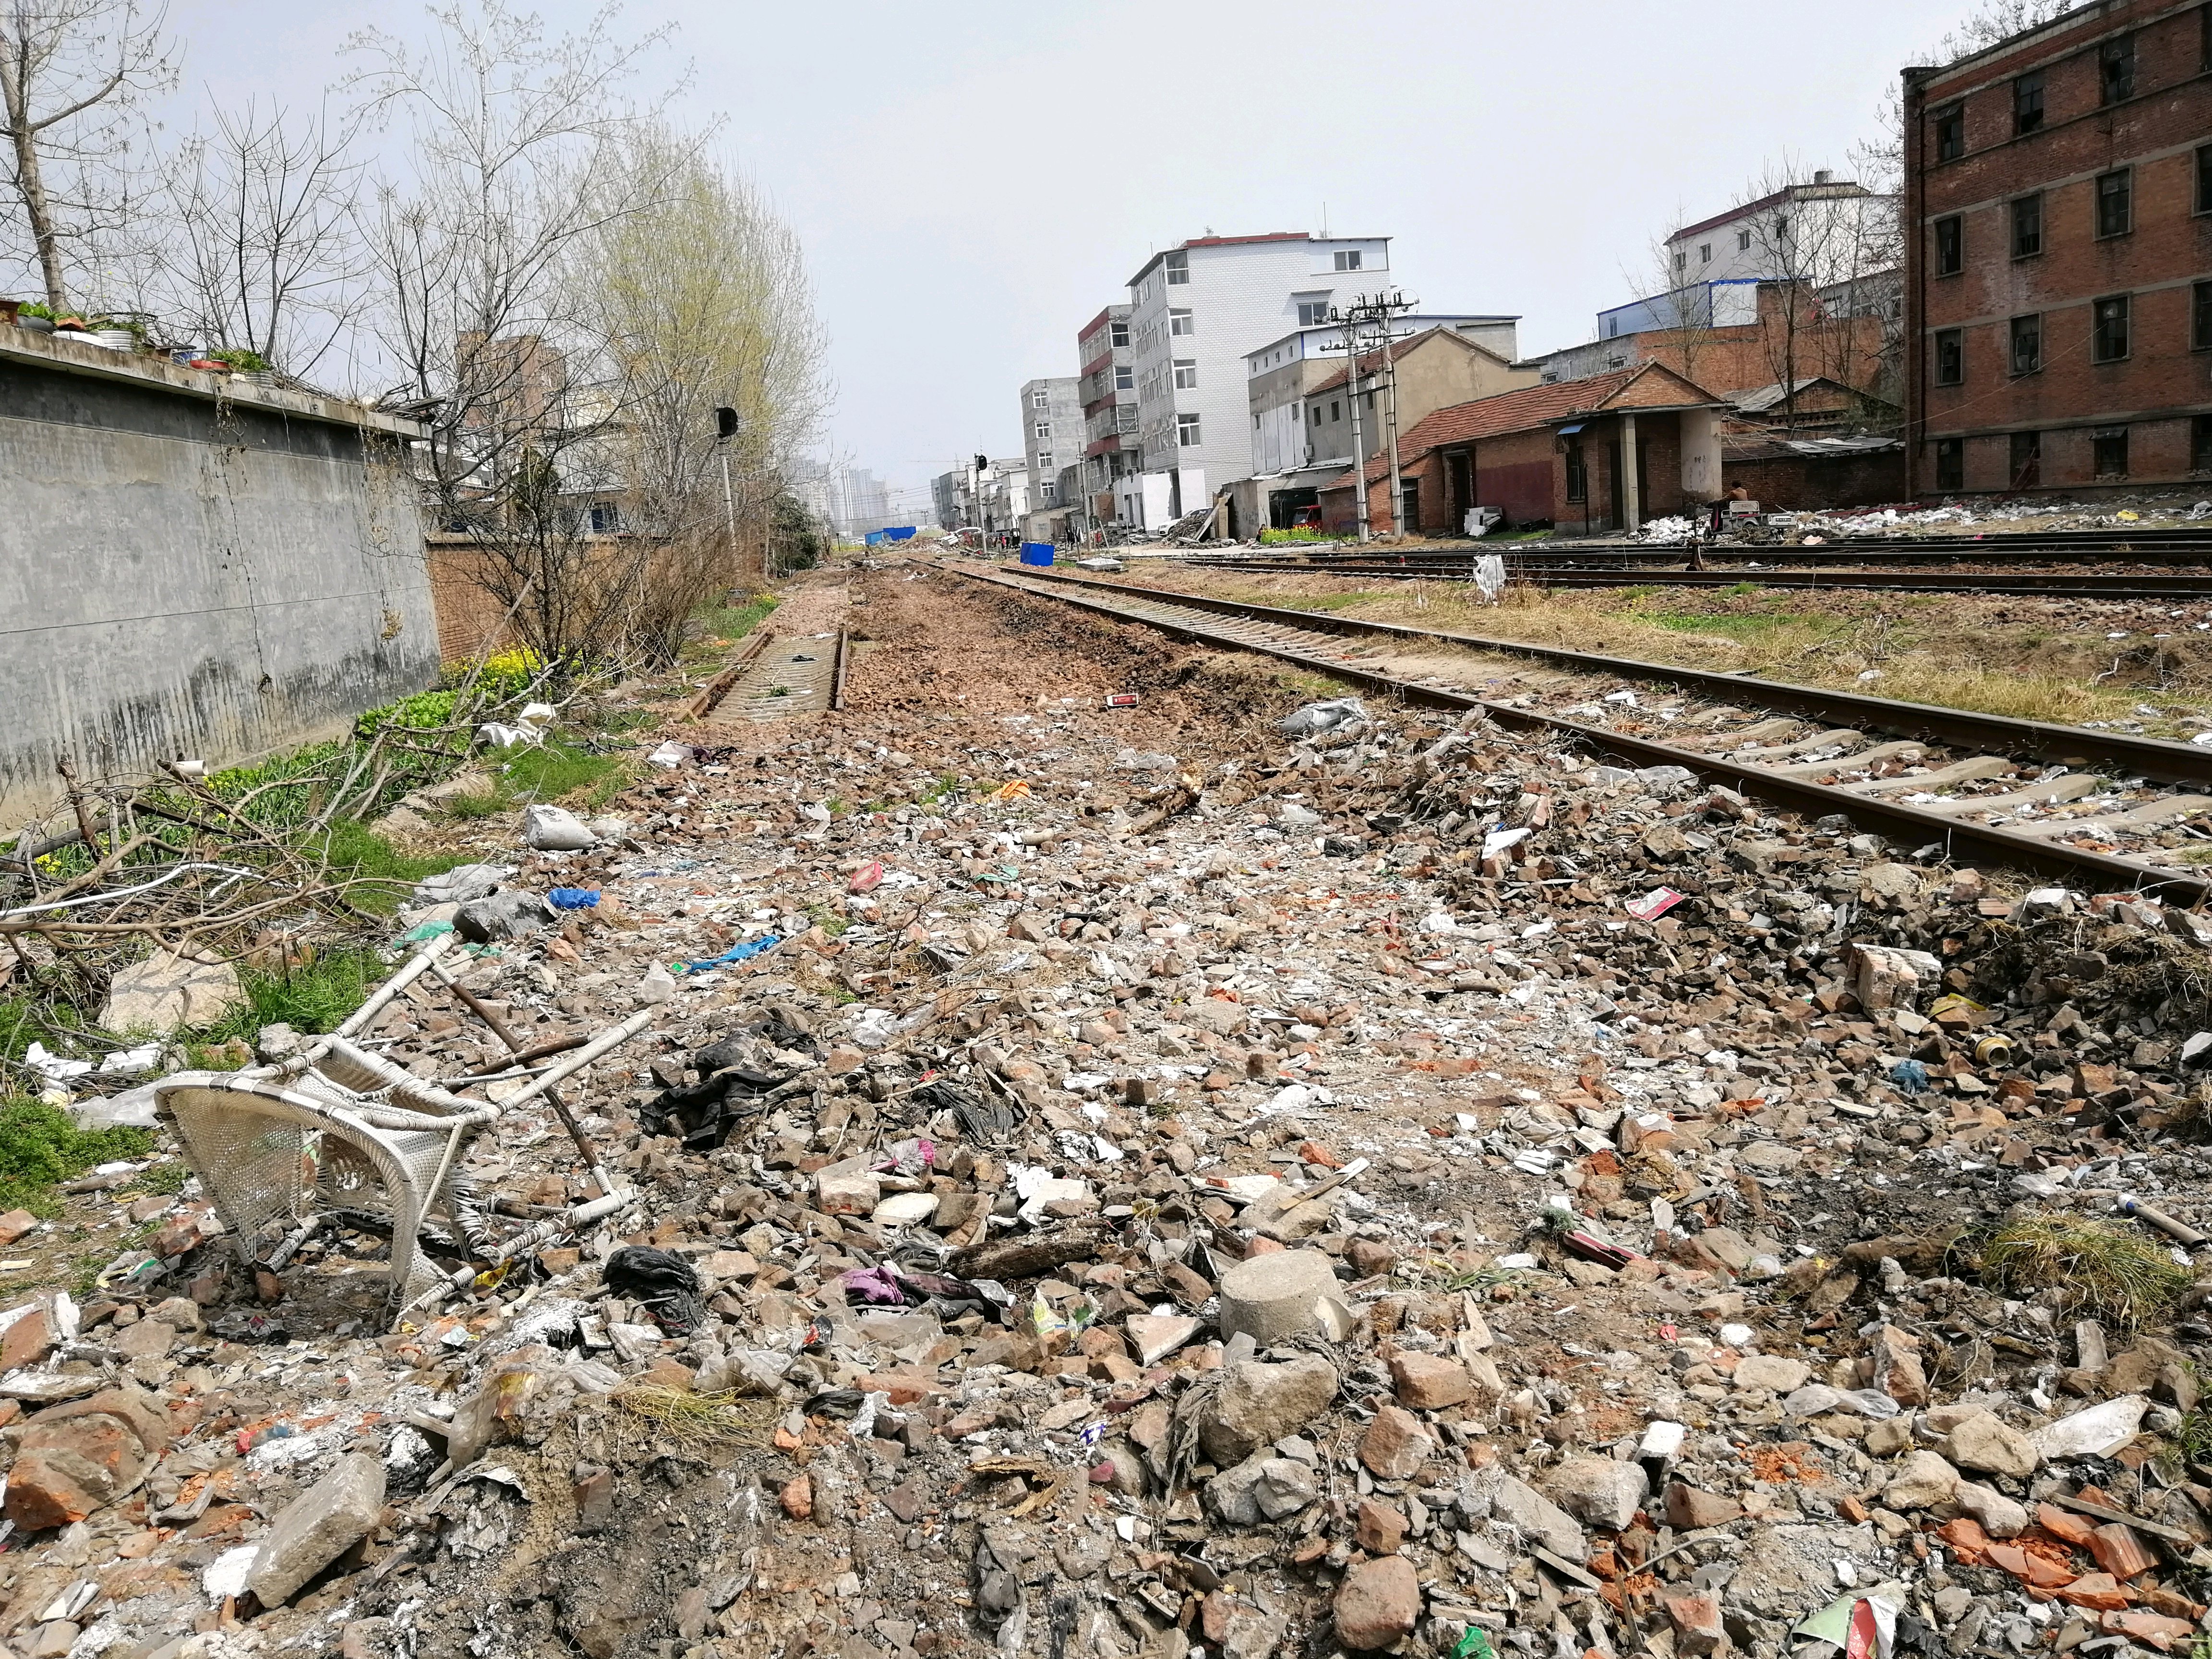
(72, 74)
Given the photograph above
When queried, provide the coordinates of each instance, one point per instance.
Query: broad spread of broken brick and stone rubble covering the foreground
(1134, 1182)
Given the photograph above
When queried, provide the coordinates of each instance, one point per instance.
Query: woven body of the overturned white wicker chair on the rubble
(335, 1131)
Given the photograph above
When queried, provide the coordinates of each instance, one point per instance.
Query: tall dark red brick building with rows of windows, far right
(2058, 258)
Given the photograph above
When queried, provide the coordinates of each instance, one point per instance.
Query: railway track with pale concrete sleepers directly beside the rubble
(2098, 808)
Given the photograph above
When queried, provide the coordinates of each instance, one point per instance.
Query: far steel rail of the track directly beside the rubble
(2043, 742)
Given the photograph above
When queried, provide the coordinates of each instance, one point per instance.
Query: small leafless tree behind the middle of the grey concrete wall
(267, 251)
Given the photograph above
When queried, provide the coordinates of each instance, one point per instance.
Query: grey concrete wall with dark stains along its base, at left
(194, 576)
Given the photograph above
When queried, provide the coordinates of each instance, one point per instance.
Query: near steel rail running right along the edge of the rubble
(1892, 820)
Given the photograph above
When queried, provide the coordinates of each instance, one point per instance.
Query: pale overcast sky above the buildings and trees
(977, 180)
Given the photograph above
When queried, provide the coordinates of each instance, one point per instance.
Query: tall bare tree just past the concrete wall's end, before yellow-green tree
(514, 167)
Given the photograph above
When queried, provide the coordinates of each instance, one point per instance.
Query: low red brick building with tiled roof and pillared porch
(1552, 455)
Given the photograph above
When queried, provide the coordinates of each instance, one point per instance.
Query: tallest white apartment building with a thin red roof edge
(1196, 315)
